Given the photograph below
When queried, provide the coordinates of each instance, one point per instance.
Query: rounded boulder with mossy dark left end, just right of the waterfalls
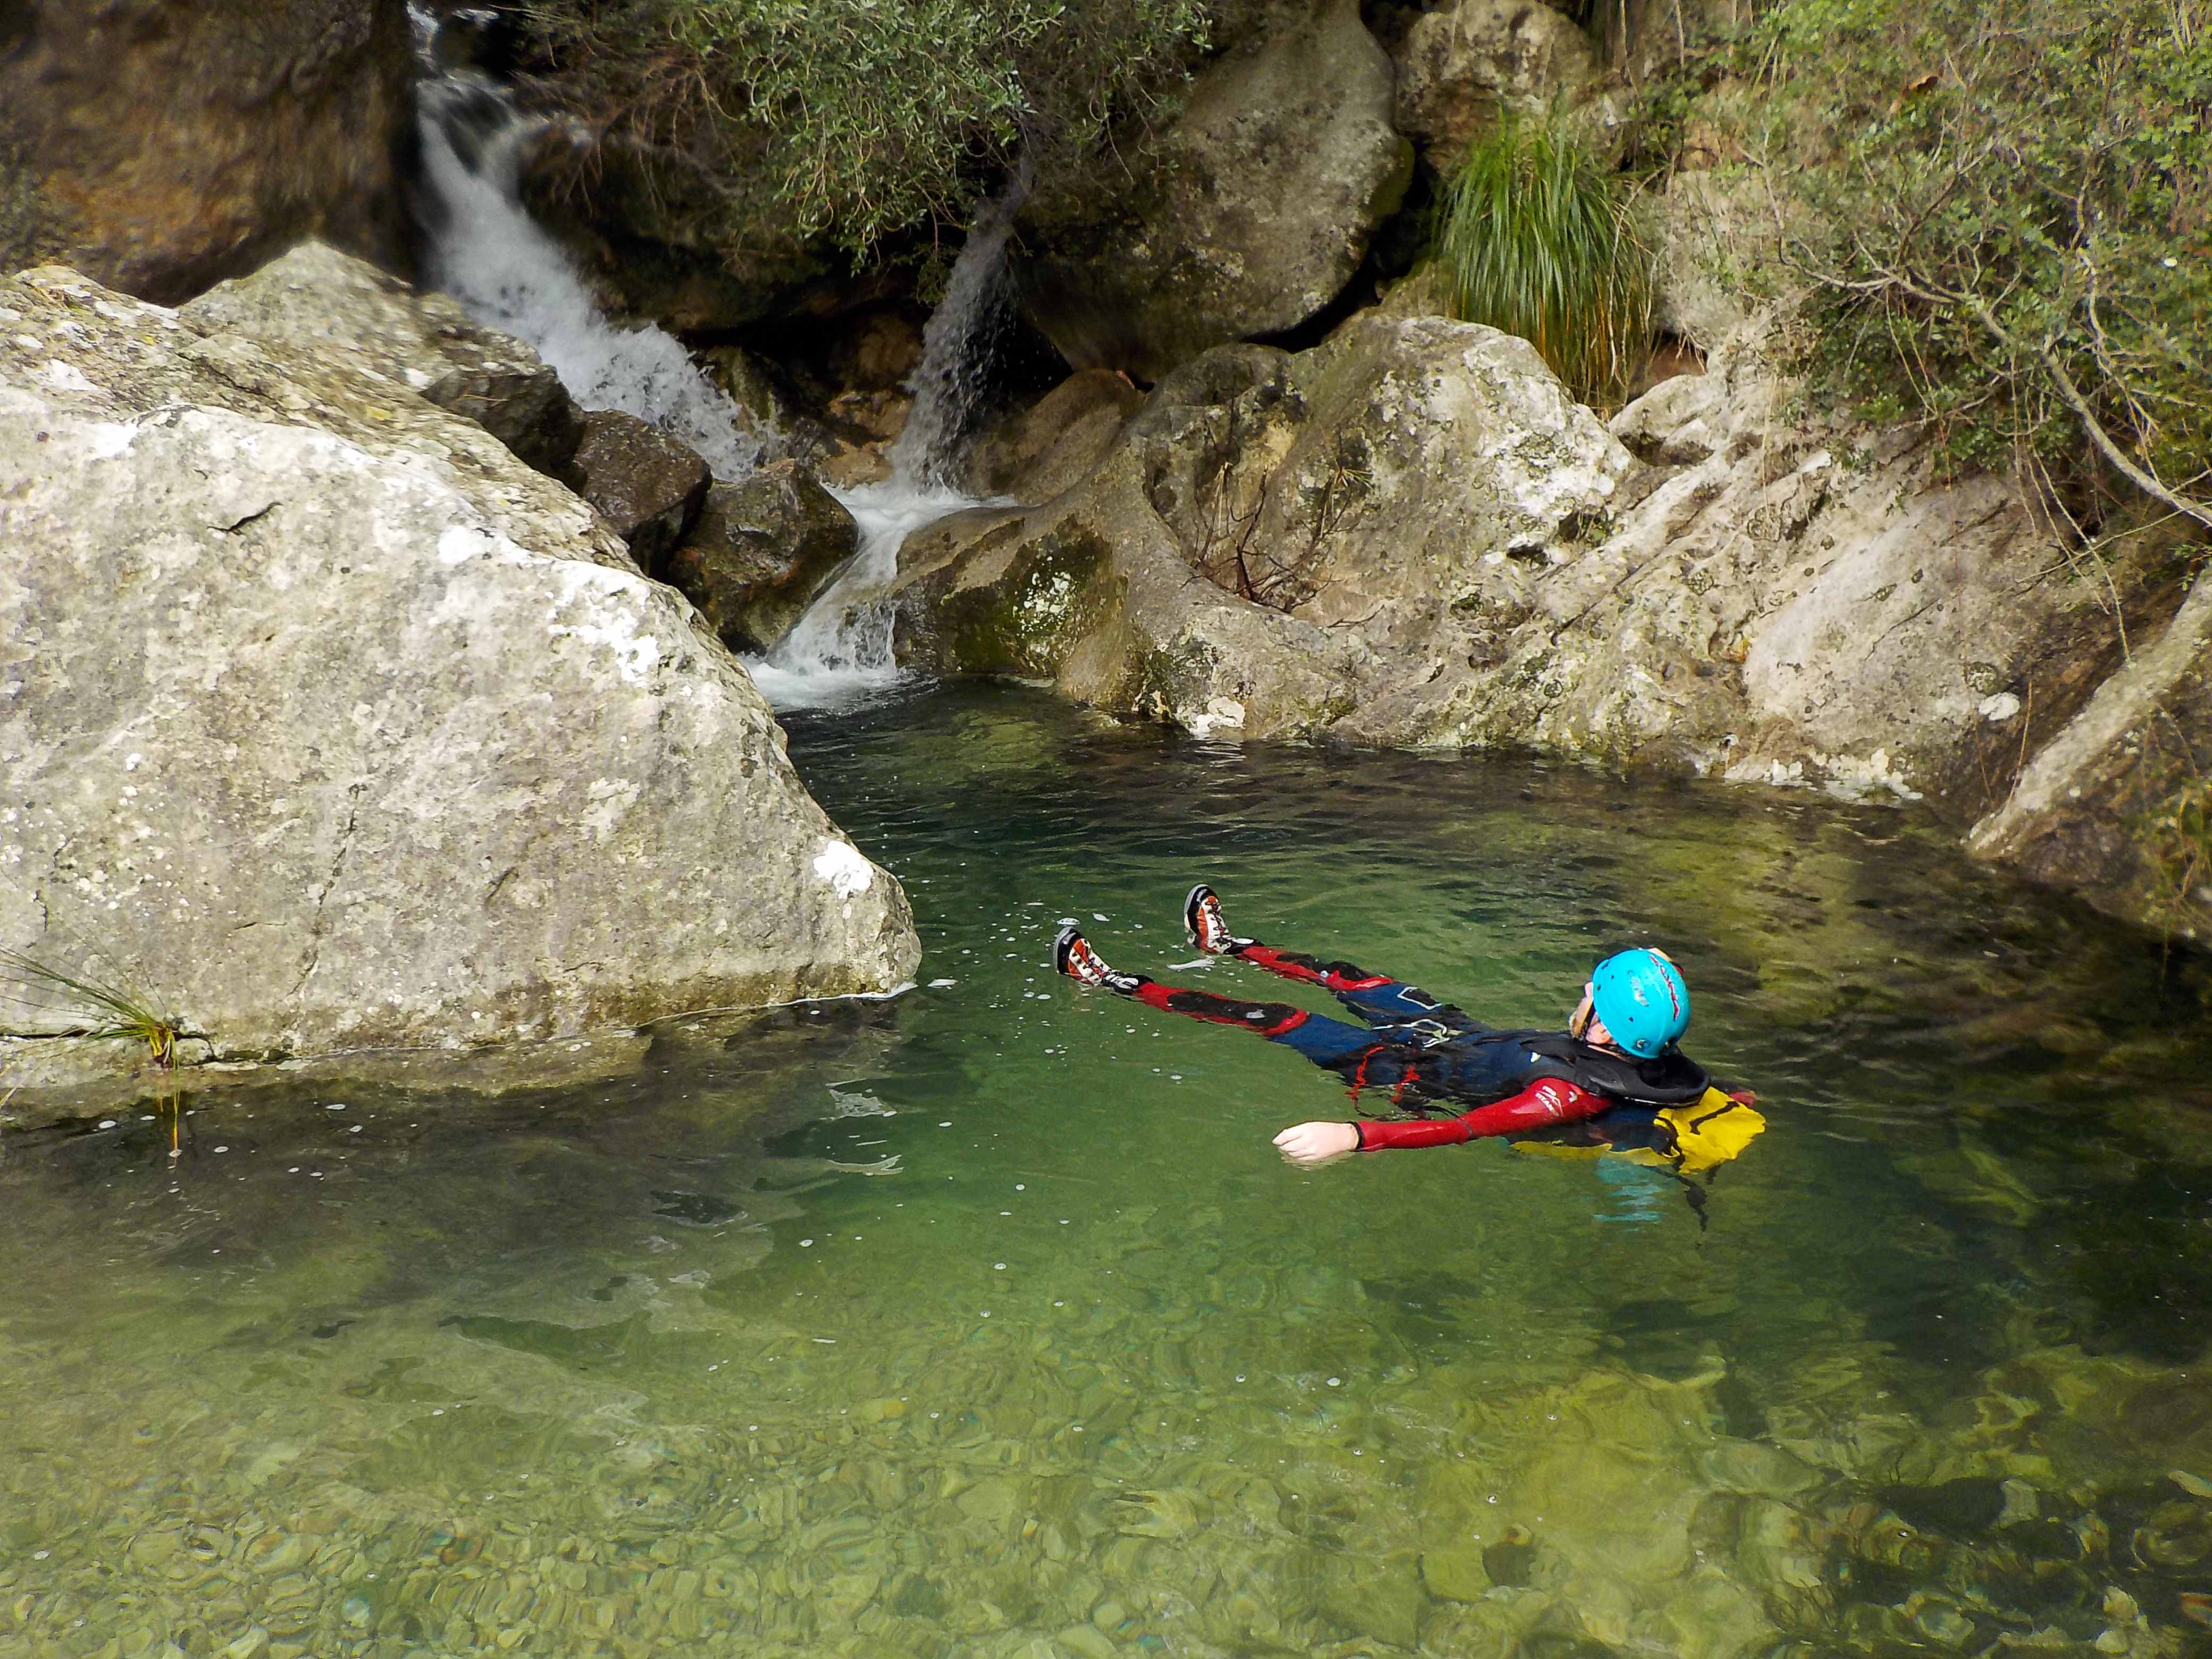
(1280, 543)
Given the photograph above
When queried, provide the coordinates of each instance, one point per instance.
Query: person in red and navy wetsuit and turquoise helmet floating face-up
(1618, 1054)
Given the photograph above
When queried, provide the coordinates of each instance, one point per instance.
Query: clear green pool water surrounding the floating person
(988, 1319)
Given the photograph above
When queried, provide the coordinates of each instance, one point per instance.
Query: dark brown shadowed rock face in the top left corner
(165, 145)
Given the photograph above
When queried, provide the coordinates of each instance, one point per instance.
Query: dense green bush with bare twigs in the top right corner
(2005, 213)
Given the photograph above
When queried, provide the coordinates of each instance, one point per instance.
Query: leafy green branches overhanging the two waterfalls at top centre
(866, 118)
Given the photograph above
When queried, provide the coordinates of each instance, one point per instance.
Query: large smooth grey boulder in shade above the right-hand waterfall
(1242, 220)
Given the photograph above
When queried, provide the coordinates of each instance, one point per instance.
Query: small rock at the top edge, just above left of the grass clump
(1463, 65)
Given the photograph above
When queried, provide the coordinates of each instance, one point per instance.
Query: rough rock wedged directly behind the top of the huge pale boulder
(320, 300)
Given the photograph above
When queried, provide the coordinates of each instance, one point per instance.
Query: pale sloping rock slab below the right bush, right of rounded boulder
(1777, 603)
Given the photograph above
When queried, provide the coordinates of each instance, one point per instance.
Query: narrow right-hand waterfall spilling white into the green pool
(842, 647)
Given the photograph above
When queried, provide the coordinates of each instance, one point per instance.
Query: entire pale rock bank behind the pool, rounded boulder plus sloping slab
(1415, 536)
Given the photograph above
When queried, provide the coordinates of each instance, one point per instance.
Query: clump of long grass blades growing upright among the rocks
(1536, 240)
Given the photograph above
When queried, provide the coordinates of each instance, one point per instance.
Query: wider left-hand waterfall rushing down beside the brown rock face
(508, 273)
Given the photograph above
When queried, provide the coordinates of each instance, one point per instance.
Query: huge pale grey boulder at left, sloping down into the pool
(328, 724)
